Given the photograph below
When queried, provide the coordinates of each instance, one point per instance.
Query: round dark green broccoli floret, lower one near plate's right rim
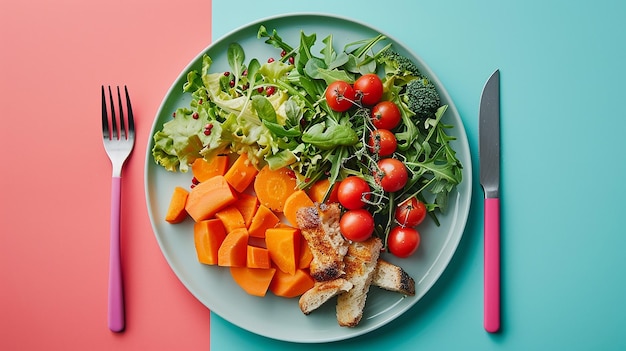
(422, 97)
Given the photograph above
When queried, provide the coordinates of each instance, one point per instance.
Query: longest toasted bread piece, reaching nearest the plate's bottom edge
(361, 261)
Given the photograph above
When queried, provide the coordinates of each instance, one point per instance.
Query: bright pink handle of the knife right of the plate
(492, 265)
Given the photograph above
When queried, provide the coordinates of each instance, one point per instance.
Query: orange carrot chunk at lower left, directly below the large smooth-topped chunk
(208, 237)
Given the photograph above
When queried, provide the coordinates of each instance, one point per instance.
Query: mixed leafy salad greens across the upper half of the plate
(277, 114)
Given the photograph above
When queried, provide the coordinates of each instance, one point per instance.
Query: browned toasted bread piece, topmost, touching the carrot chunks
(320, 227)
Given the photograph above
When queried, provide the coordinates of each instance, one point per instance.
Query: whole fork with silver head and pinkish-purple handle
(118, 143)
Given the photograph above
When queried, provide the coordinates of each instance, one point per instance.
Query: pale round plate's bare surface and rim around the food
(272, 316)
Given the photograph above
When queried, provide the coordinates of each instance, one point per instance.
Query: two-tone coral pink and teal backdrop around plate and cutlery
(562, 171)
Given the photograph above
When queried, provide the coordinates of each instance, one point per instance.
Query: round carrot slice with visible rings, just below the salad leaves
(274, 187)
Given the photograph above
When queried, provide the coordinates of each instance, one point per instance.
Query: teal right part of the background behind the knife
(563, 170)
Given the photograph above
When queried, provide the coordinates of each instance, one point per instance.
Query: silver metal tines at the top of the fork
(110, 129)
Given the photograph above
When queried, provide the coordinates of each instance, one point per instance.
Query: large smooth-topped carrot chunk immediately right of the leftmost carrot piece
(209, 197)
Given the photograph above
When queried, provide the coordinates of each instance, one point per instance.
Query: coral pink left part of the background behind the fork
(55, 177)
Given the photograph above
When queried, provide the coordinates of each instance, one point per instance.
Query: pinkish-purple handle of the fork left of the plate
(116, 291)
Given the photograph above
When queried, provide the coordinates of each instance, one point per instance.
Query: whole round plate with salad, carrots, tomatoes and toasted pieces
(300, 174)
